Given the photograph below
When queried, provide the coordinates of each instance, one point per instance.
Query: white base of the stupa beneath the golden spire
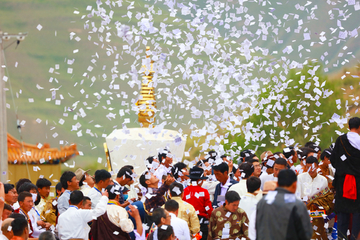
(133, 145)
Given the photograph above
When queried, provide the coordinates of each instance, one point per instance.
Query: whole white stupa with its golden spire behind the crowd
(132, 146)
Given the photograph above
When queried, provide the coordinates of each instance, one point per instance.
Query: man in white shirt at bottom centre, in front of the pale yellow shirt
(180, 226)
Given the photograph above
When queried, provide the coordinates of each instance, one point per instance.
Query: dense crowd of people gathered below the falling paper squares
(299, 193)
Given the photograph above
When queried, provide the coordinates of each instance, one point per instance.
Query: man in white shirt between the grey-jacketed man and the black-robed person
(310, 182)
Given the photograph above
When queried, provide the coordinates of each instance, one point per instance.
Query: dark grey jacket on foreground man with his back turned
(282, 217)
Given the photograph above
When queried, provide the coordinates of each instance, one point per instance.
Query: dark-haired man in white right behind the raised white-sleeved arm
(102, 180)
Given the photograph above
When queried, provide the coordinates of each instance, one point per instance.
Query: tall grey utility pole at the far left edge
(3, 126)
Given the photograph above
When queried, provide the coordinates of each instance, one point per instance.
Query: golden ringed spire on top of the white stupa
(147, 102)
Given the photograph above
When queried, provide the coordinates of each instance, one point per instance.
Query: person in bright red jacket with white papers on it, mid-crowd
(199, 197)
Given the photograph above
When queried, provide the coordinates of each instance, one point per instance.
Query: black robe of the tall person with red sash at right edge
(351, 166)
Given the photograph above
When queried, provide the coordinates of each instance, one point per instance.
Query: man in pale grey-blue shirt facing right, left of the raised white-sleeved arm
(69, 183)
